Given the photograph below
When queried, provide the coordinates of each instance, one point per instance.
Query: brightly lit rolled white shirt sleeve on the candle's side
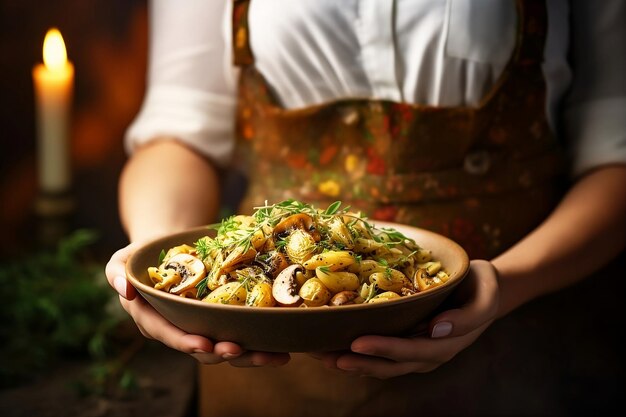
(190, 93)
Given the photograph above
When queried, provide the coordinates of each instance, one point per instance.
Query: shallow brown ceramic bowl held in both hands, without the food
(283, 329)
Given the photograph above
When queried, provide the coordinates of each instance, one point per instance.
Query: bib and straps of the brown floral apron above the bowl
(485, 176)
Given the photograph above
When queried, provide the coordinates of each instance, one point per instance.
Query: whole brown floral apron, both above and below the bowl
(485, 176)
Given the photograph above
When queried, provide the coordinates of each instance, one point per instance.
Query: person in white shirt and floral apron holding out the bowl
(448, 115)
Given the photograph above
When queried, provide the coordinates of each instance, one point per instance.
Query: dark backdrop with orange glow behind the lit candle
(106, 40)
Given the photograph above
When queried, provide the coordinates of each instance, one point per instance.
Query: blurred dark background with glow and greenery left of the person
(64, 340)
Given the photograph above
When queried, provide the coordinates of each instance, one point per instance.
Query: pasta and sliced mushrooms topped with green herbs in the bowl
(292, 254)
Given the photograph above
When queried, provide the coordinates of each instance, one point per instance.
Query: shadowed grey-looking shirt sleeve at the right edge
(594, 112)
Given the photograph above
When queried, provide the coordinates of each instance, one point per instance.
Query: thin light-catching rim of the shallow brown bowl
(147, 289)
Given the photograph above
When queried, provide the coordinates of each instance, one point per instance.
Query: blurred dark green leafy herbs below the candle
(53, 304)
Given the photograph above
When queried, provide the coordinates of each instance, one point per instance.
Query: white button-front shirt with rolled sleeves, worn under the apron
(433, 52)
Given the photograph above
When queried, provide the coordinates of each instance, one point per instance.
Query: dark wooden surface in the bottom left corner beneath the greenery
(166, 385)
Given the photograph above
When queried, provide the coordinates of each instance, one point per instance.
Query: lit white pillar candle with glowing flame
(54, 82)
